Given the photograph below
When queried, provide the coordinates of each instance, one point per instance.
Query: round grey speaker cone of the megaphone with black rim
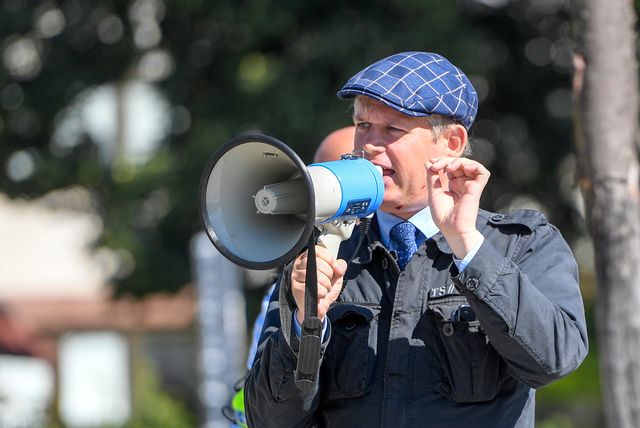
(249, 167)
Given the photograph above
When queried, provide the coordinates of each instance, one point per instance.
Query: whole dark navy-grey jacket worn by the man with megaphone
(432, 347)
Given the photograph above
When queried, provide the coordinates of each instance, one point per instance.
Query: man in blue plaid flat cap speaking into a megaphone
(450, 315)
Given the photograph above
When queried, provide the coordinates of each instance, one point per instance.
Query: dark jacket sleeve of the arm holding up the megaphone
(272, 398)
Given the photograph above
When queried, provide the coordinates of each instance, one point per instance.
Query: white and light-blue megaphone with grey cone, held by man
(260, 203)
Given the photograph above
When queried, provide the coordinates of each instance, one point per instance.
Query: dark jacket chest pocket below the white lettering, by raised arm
(469, 370)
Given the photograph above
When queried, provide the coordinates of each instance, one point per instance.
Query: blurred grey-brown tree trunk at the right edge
(606, 131)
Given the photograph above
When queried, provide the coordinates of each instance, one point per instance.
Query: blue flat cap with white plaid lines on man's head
(417, 84)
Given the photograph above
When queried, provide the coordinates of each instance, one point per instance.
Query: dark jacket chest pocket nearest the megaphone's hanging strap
(348, 360)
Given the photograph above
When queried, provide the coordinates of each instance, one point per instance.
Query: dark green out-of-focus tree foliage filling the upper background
(227, 67)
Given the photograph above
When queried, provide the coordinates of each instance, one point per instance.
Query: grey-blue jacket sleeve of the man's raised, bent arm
(529, 305)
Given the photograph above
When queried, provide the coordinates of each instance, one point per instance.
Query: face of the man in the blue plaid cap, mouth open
(401, 145)
